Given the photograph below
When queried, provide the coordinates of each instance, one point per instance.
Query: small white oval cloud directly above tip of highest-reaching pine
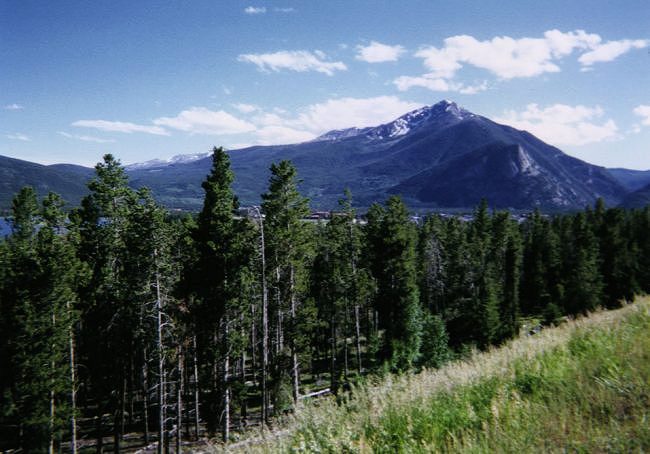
(199, 120)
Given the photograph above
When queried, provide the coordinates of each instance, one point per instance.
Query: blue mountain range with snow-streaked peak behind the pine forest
(439, 156)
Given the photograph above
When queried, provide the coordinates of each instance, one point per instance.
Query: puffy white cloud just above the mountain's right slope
(561, 124)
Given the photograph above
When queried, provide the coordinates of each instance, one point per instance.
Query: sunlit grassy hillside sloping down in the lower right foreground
(581, 387)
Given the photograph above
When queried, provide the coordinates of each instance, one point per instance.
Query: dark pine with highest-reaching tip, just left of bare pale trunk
(223, 247)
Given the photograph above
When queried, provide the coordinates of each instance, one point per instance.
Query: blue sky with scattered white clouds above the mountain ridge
(145, 80)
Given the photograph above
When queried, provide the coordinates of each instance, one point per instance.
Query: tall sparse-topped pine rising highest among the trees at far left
(111, 317)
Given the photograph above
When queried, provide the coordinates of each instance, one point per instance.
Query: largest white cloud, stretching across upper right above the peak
(508, 58)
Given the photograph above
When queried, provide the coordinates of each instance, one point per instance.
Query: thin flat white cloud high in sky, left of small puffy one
(297, 60)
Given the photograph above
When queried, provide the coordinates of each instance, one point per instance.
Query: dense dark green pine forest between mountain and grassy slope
(117, 318)
